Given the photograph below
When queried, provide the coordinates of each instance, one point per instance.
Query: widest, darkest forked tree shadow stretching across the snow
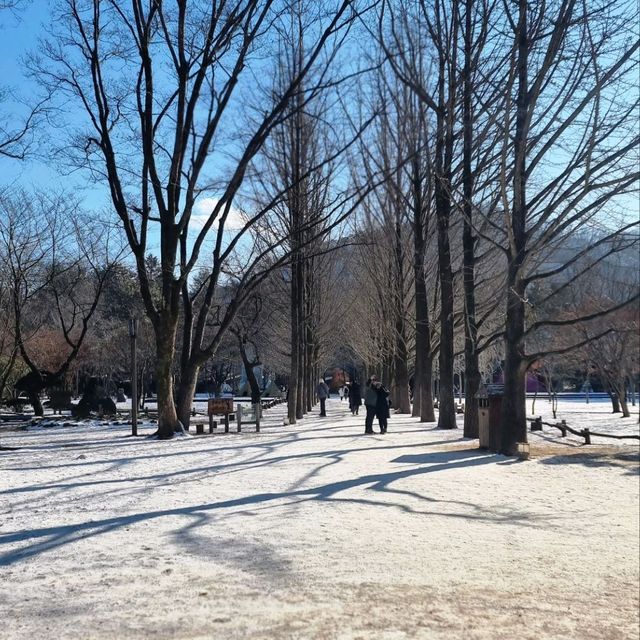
(376, 489)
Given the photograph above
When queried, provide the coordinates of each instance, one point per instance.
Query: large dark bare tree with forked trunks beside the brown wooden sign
(162, 87)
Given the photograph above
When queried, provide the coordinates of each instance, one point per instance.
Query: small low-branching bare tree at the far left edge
(55, 277)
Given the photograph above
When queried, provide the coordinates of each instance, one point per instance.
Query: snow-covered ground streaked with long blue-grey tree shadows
(318, 531)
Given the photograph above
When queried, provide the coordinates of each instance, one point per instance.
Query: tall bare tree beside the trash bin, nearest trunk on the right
(569, 64)
